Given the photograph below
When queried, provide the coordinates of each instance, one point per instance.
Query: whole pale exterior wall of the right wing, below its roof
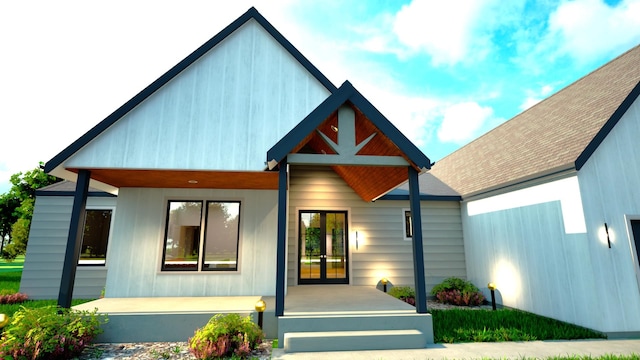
(539, 265)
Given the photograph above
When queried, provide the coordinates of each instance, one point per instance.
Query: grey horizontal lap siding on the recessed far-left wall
(43, 264)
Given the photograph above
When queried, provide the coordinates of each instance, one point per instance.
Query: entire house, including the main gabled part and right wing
(244, 171)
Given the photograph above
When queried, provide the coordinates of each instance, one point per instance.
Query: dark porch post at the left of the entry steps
(282, 233)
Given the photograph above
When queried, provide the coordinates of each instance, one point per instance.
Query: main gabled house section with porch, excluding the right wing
(243, 171)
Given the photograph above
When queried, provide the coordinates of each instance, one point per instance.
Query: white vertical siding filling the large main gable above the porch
(223, 112)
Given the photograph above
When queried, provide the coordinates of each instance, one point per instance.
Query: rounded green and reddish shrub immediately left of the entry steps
(226, 335)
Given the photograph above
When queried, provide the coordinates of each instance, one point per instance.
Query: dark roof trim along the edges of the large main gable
(252, 13)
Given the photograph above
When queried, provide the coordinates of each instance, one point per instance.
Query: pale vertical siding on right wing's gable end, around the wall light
(610, 187)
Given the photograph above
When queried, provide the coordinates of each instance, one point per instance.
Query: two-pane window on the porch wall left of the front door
(184, 248)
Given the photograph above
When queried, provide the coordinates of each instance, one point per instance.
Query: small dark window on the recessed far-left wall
(95, 237)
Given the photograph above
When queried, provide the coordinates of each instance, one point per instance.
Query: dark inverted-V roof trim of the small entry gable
(345, 93)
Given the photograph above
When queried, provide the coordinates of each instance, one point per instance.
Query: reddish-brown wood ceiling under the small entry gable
(369, 182)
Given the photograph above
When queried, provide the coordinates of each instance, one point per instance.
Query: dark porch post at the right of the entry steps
(418, 255)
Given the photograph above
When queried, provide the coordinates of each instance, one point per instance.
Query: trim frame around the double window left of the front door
(201, 245)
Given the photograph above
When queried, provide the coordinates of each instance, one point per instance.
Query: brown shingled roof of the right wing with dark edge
(558, 134)
